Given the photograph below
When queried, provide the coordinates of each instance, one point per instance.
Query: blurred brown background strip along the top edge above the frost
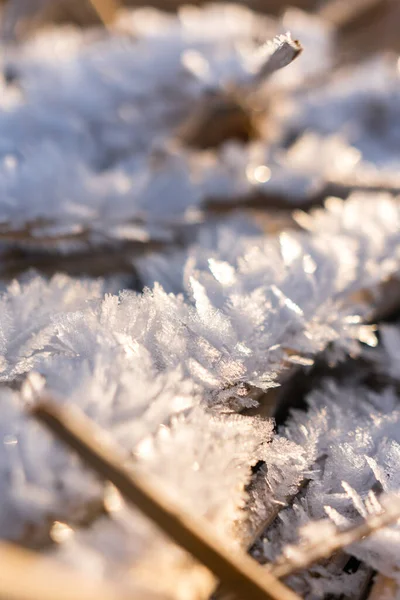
(370, 23)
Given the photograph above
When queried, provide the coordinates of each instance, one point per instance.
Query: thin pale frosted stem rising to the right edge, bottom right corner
(297, 558)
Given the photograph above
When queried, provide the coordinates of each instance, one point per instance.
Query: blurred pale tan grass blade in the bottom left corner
(25, 575)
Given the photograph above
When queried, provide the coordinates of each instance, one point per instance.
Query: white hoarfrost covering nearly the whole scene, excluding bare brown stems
(182, 371)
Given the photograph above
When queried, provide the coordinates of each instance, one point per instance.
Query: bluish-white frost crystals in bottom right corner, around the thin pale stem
(351, 435)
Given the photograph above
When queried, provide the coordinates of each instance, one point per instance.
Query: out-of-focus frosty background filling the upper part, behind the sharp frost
(126, 129)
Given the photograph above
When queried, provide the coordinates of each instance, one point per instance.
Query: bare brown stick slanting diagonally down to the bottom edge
(239, 573)
